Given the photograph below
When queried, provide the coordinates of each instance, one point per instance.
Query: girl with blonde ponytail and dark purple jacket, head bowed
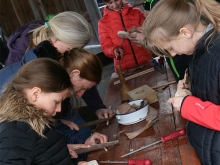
(66, 30)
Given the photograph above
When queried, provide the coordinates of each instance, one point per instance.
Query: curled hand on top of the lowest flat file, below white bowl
(96, 137)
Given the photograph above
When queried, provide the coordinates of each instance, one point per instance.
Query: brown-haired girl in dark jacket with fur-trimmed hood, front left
(28, 104)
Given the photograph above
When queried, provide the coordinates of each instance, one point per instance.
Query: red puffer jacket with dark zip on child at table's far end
(108, 27)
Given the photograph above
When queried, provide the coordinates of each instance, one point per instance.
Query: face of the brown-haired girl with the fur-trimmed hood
(51, 102)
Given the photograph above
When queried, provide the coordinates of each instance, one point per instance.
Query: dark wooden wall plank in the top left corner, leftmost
(8, 19)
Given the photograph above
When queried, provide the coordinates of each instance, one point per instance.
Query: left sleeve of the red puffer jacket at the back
(105, 40)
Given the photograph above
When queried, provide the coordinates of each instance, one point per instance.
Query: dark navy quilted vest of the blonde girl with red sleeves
(204, 72)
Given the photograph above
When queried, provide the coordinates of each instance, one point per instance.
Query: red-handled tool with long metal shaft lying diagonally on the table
(164, 139)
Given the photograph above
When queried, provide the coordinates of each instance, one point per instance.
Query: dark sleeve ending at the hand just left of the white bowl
(93, 99)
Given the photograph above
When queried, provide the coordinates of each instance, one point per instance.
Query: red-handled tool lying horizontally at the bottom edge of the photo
(131, 162)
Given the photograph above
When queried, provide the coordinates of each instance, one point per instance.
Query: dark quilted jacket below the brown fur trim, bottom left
(21, 145)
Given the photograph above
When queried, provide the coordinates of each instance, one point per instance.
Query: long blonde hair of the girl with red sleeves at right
(172, 15)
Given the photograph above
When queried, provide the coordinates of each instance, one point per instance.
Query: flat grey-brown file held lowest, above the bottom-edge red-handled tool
(96, 147)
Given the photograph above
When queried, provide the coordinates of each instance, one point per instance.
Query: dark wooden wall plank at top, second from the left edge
(23, 11)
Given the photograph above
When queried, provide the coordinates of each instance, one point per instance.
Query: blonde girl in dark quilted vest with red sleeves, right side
(192, 27)
